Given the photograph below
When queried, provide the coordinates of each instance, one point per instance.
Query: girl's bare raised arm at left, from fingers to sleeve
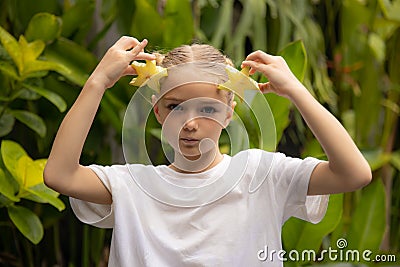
(63, 172)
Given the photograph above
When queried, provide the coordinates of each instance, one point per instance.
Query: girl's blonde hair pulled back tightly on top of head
(193, 53)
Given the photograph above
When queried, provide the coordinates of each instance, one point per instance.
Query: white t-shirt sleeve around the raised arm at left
(98, 215)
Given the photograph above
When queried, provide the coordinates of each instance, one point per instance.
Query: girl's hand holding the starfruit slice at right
(281, 79)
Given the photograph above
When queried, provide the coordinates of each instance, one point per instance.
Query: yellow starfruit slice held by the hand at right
(238, 81)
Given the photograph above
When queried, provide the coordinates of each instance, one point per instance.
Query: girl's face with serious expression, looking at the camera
(193, 116)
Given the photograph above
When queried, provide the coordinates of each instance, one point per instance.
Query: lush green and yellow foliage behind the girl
(346, 52)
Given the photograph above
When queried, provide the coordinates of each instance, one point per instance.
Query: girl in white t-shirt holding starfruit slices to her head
(195, 219)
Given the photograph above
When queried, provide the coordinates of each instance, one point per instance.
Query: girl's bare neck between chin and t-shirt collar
(197, 164)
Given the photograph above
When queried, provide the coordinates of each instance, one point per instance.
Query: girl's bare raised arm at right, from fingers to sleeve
(346, 168)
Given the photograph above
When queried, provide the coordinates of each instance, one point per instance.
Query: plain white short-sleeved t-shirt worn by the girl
(225, 227)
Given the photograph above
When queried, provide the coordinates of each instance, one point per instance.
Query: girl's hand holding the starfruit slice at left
(116, 62)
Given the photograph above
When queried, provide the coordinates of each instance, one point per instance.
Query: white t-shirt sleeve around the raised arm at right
(291, 179)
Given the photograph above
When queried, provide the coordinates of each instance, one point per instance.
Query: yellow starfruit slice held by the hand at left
(147, 70)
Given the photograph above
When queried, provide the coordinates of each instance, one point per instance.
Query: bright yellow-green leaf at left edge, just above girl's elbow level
(11, 152)
